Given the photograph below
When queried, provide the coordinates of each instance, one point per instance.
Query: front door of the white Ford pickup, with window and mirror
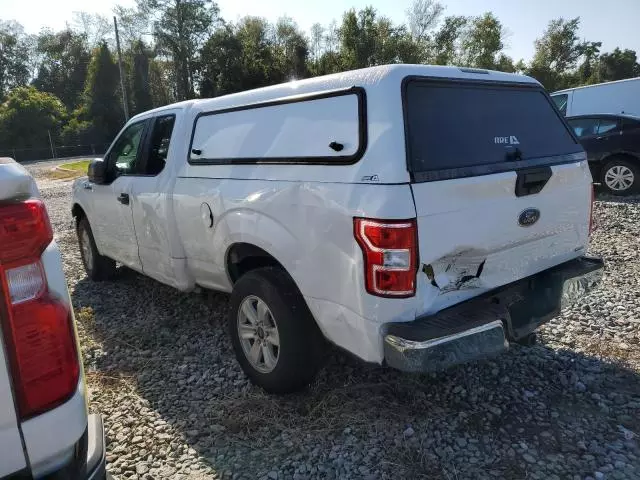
(110, 212)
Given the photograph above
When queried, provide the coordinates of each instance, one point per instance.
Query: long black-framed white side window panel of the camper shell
(326, 128)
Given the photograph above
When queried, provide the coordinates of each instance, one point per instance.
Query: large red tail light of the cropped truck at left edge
(37, 326)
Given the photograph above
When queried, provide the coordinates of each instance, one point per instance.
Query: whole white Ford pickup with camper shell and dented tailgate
(415, 216)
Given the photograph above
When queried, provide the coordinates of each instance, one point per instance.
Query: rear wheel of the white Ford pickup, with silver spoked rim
(274, 336)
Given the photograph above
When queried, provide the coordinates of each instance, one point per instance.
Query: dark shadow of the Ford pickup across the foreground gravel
(171, 350)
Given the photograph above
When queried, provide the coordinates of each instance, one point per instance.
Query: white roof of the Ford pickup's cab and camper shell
(384, 76)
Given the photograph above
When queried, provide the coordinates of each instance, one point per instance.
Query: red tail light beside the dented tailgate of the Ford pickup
(390, 255)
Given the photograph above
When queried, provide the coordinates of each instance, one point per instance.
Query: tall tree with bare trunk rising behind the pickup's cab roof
(180, 28)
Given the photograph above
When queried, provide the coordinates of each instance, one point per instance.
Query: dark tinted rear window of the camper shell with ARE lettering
(454, 125)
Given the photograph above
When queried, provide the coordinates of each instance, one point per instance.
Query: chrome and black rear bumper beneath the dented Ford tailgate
(484, 326)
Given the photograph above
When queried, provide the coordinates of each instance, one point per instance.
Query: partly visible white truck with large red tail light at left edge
(45, 431)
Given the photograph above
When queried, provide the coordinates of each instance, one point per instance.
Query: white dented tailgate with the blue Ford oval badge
(472, 242)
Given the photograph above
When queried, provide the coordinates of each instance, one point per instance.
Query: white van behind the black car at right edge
(620, 97)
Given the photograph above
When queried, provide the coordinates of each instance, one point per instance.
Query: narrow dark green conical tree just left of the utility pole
(101, 96)
